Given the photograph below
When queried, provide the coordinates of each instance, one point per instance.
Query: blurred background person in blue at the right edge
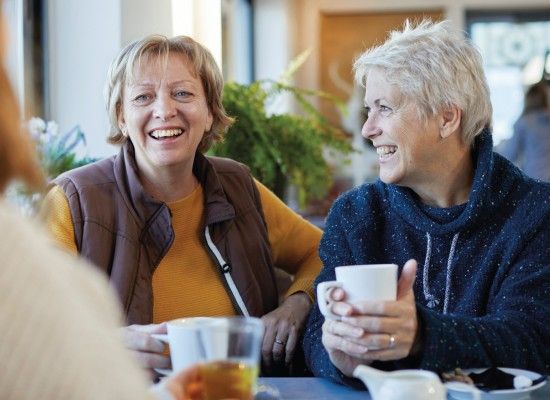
(529, 147)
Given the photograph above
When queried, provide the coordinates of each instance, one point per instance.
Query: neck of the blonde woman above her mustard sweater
(169, 184)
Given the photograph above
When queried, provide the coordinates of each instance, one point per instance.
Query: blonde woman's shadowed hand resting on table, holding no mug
(282, 329)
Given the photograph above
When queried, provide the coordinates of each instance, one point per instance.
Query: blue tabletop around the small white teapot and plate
(321, 389)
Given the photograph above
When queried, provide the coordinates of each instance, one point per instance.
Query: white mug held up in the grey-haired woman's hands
(370, 282)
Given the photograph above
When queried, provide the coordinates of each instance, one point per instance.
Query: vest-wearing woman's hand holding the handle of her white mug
(149, 350)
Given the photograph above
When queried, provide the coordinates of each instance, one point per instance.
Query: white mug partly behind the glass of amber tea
(184, 340)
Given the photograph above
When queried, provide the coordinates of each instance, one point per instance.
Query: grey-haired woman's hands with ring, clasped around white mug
(366, 329)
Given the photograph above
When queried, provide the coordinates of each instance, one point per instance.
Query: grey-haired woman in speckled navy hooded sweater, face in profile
(468, 229)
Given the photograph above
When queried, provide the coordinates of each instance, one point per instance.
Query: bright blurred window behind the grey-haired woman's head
(513, 45)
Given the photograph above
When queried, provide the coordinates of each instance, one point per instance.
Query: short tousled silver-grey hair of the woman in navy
(435, 67)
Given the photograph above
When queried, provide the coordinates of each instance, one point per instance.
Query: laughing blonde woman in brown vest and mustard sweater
(181, 234)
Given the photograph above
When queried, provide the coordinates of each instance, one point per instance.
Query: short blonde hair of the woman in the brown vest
(160, 47)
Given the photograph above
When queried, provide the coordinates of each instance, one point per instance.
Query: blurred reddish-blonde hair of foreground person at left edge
(18, 159)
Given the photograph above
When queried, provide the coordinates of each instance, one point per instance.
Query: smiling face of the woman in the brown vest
(165, 114)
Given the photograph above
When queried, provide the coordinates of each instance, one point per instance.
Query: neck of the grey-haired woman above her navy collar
(450, 183)
